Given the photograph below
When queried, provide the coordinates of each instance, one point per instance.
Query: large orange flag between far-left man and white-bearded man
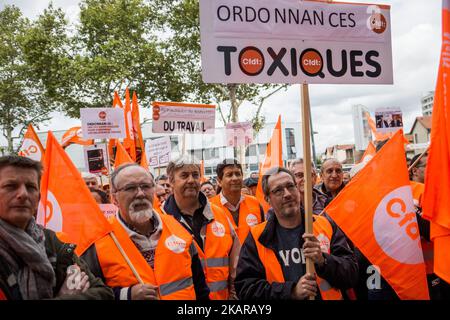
(69, 206)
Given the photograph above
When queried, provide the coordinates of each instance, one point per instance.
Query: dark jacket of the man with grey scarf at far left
(65, 256)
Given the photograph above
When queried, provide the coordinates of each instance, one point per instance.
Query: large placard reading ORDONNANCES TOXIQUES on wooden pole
(292, 41)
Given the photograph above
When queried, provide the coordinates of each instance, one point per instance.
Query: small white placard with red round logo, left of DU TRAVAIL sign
(103, 123)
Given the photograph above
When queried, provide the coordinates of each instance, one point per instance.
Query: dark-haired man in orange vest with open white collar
(243, 210)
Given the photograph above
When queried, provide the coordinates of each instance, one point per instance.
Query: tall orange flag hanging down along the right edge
(435, 204)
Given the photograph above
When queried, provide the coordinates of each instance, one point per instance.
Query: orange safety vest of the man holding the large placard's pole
(323, 232)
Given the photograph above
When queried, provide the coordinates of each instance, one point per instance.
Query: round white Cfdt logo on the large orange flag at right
(395, 227)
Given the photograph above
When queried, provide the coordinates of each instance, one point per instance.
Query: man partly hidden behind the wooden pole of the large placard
(320, 200)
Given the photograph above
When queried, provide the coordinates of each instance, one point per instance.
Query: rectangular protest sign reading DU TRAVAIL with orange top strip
(173, 117)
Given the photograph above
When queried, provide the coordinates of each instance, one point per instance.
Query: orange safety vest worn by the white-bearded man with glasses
(172, 268)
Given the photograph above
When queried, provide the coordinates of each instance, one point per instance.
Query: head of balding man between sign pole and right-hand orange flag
(333, 178)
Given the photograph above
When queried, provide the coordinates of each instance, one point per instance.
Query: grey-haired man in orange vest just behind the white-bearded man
(209, 225)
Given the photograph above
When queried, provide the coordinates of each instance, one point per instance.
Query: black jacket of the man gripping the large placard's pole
(341, 270)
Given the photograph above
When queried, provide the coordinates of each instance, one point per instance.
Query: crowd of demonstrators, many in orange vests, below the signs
(187, 240)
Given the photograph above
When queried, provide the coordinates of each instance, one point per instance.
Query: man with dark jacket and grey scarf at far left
(34, 263)
